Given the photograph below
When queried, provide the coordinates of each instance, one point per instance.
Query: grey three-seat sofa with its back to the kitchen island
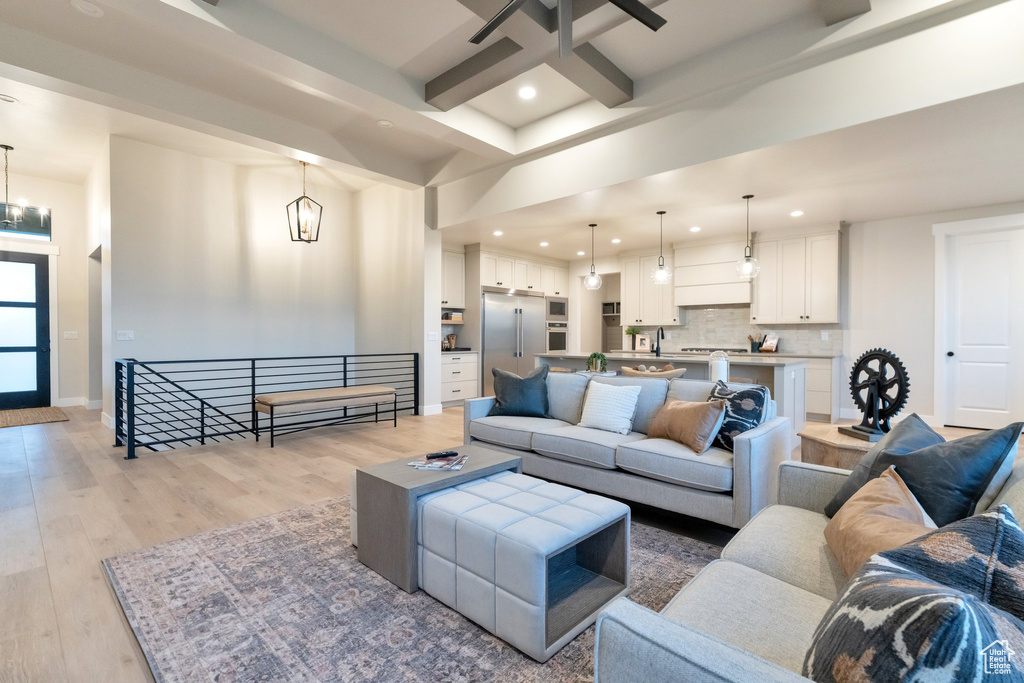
(718, 486)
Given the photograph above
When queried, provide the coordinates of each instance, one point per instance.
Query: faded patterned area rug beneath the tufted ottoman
(284, 599)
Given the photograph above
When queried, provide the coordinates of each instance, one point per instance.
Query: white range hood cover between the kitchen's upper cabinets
(706, 276)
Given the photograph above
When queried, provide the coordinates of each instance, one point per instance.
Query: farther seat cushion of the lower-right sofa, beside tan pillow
(789, 544)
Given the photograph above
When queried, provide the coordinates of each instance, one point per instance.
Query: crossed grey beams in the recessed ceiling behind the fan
(532, 31)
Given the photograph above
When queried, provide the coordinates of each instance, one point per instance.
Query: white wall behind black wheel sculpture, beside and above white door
(892, 298)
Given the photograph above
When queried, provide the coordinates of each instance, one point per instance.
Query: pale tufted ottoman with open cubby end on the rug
(531, 562)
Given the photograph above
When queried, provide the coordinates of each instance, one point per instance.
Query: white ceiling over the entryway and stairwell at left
(59, 138)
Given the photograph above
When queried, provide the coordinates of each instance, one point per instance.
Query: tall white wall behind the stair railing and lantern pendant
(203, 266)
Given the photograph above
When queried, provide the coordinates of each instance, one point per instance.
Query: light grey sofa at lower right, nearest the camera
(752, 615)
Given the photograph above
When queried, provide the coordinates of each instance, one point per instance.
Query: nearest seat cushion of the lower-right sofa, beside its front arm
(754, 612)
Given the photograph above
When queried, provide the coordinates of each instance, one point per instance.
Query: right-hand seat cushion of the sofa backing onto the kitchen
(670, 461)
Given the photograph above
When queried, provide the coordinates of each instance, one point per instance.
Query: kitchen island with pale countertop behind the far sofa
(785, 377)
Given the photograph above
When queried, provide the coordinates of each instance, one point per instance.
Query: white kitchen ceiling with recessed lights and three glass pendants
(963, 154)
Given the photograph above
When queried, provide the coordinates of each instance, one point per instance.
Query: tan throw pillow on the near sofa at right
(882, 516)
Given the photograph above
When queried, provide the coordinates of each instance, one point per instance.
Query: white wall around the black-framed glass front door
(67, 204)
